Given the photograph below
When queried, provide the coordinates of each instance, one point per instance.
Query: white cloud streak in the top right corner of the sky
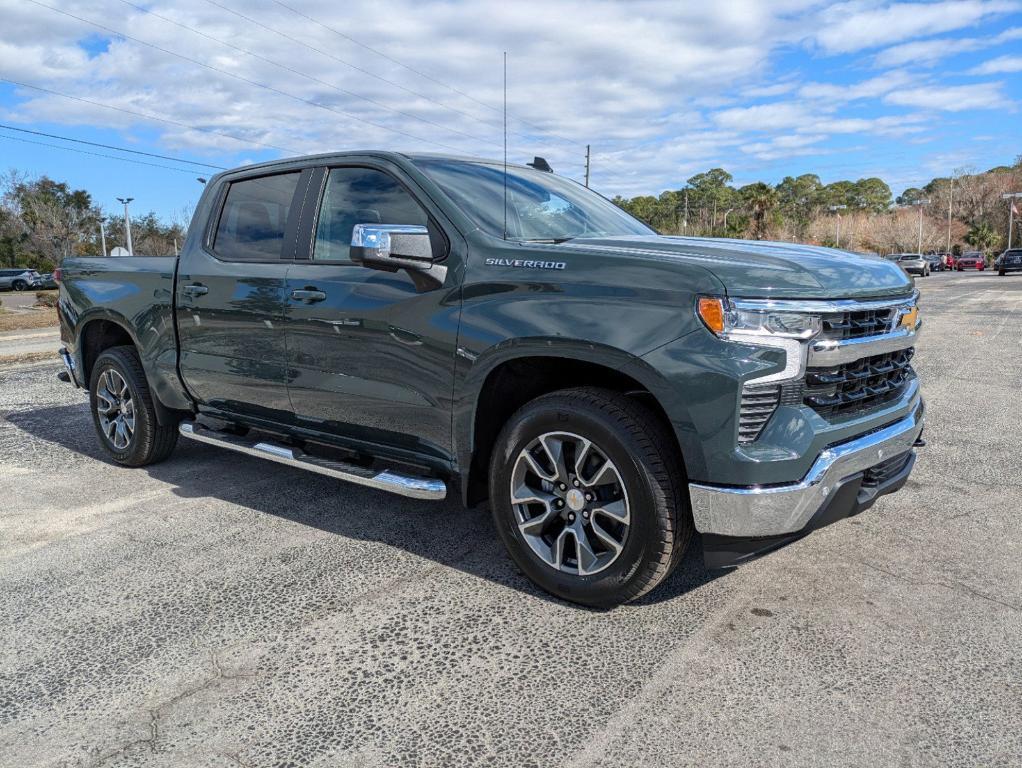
(864, 24)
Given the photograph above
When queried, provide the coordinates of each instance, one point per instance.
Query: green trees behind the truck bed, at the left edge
(43, 222)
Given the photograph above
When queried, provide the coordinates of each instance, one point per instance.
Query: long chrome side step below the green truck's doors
(403, 485)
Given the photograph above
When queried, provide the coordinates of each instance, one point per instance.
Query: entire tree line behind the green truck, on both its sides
(43, 221)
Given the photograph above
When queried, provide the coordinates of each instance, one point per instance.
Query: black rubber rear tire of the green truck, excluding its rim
(150, 442)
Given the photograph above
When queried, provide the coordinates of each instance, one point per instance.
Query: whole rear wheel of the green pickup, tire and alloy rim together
(123, 412)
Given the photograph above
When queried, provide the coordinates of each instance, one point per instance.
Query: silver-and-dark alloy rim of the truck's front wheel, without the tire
(571, 504)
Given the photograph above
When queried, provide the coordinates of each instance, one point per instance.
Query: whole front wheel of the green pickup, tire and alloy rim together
(588, 496)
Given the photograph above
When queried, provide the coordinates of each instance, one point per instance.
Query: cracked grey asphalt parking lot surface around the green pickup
(221, 611)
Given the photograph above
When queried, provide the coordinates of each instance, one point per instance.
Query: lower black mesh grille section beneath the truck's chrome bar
(861, 386)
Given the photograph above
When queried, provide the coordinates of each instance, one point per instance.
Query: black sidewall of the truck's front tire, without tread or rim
(646, 509)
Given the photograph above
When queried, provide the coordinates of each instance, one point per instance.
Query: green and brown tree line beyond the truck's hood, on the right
(965, 210)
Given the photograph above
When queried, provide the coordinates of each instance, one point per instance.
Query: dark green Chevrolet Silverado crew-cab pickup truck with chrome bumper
(427, 325)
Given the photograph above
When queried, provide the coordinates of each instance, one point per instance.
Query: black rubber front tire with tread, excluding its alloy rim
(651, 470)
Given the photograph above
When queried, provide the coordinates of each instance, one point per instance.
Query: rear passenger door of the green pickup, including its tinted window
(230, 297)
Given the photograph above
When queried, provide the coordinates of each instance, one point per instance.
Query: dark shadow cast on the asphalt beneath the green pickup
(443, 532)
